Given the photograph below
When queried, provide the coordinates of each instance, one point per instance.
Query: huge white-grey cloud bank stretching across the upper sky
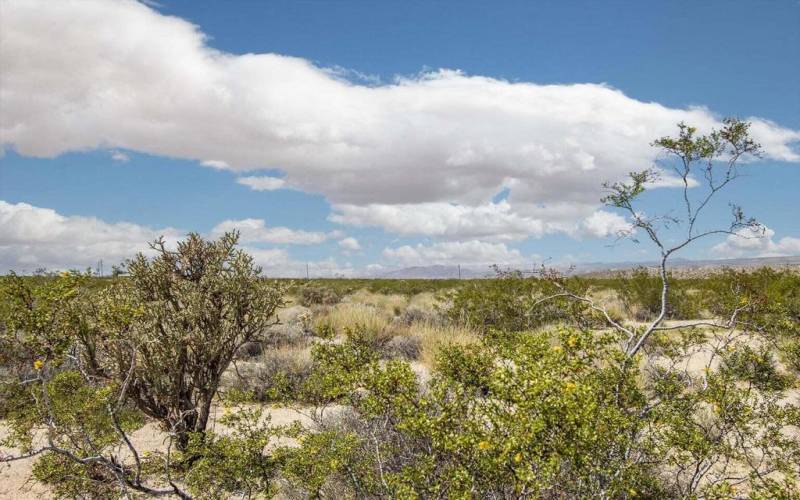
(133, 78)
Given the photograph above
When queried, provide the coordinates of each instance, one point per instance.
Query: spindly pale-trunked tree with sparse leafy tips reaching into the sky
(704, 165)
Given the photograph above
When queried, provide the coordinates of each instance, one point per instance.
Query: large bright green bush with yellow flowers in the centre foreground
(466, 435)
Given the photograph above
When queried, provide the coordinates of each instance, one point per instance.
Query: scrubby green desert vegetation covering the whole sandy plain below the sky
(639, 385)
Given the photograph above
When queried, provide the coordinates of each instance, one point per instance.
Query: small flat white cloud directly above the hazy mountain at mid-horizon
(474, 252)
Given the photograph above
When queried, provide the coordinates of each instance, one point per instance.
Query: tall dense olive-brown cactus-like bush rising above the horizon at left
(179, 320)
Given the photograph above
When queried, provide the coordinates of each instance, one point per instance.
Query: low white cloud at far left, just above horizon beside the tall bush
(33, 237)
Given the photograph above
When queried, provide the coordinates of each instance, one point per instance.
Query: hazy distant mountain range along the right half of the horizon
(679, 266)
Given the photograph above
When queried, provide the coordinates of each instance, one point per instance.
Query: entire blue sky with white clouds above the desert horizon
(357, 137)
